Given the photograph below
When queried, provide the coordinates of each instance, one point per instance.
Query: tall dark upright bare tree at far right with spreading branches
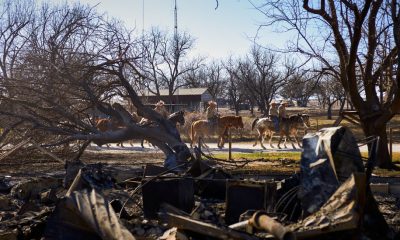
(362, 39)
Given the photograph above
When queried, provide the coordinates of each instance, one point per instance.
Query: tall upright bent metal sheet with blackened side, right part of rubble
(329, 157)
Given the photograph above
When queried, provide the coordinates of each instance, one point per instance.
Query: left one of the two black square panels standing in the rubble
(179, 192)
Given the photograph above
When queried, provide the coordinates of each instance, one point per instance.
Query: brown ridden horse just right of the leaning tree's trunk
(200, 128)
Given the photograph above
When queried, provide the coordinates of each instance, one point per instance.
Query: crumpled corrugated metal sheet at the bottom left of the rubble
(85, 215)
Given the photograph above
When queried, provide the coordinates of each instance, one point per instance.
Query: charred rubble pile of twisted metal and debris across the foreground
(329, 198)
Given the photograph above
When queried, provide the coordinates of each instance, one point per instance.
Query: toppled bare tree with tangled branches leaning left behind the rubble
(74, 65)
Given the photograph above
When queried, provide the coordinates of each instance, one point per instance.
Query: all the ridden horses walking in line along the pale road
(288, 128)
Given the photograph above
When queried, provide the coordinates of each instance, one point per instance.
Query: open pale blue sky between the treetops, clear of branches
(219, 33)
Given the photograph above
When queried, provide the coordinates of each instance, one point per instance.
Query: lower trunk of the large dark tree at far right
(371, 128)
